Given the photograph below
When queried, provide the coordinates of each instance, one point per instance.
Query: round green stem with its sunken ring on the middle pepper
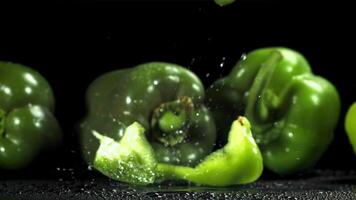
(170, 121)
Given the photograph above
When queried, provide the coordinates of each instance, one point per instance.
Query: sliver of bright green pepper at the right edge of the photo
(350, 125)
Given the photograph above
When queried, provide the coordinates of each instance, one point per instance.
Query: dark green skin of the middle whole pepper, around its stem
(119, 98)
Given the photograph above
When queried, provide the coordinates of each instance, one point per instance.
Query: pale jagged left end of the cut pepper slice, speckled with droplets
(131, 160)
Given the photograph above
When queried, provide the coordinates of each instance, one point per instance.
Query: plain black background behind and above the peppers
(72, 43)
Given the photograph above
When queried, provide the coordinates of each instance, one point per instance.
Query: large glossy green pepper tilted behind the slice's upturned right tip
(293, 113)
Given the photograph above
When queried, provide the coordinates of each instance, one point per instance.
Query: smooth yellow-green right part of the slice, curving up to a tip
(238, 162)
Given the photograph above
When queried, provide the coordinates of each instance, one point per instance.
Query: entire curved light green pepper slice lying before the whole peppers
(132, 160)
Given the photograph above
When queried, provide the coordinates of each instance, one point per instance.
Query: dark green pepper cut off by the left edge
(27, 125)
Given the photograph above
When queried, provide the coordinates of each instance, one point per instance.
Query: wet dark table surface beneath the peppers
(316, 185)
